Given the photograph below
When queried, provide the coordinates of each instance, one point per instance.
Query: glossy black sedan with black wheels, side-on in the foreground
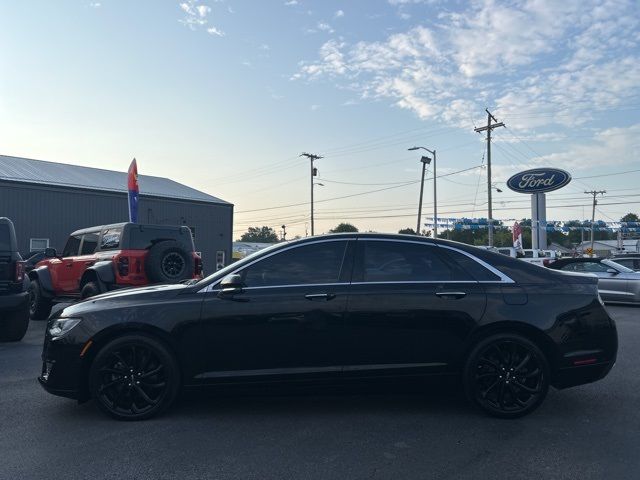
(338, 309)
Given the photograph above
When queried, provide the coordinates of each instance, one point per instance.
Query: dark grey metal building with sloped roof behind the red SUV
(47, 201)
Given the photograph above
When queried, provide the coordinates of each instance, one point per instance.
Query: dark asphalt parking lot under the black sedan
(588, 432)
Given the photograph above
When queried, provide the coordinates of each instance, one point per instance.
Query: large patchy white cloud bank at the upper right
(522, 58)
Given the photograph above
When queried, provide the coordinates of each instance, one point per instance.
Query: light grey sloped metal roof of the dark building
(26, 170)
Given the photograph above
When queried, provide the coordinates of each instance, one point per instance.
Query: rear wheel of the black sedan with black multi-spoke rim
(506, 375)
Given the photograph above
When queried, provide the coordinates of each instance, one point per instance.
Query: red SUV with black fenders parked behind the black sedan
(99, 259)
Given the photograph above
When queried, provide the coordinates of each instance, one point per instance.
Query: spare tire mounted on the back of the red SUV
(169, 262)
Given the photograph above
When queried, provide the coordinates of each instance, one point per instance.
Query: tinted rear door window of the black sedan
(388, 261)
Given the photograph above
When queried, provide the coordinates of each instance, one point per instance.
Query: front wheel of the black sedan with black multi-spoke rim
(134, 377)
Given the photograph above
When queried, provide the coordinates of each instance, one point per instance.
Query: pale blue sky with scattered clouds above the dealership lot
(224, 95)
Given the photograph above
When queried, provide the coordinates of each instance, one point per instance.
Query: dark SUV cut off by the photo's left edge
(14, 298)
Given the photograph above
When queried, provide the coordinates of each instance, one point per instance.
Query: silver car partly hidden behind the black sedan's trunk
(616, 283)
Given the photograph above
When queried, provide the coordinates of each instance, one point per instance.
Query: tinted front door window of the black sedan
(317, 263)
